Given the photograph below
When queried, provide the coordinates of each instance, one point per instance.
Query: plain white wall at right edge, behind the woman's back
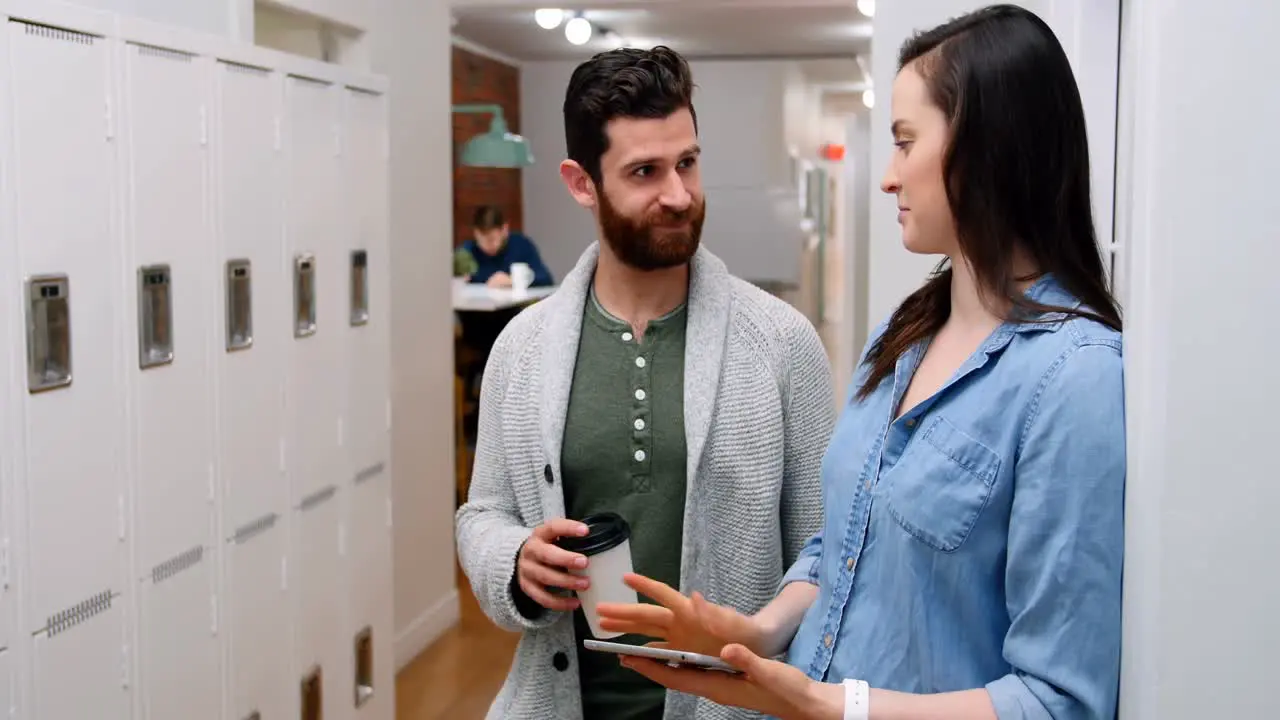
(1201, 580)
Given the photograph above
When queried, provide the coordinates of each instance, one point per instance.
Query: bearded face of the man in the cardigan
(651, 204)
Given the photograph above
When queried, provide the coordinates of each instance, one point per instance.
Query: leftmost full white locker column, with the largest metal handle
(72, 393)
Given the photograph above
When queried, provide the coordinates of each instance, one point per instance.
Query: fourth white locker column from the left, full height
(317, 463)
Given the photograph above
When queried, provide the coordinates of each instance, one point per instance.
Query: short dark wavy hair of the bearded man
(623, 84)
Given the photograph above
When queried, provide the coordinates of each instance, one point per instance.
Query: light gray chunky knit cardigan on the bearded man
(760, 411)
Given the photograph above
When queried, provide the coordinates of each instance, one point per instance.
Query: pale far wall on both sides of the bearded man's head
(749, 115)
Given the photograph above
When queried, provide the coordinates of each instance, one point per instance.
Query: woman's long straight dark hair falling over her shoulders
(1017, 174)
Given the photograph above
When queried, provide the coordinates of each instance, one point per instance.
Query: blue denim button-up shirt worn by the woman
(979, 540)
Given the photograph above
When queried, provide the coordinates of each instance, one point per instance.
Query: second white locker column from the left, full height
(171, 265)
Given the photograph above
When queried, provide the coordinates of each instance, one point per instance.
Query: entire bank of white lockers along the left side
(195, 475)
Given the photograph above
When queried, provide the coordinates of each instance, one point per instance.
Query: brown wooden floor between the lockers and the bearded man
(461, 673)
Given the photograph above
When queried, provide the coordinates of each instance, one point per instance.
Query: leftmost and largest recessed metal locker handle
(49, 332)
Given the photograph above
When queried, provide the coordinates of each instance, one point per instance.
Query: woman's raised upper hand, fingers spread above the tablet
(685, 623)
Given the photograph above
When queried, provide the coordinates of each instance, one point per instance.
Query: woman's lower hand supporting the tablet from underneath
(766, 686)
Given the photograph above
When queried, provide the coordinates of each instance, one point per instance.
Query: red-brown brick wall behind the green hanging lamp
(483, 80)
